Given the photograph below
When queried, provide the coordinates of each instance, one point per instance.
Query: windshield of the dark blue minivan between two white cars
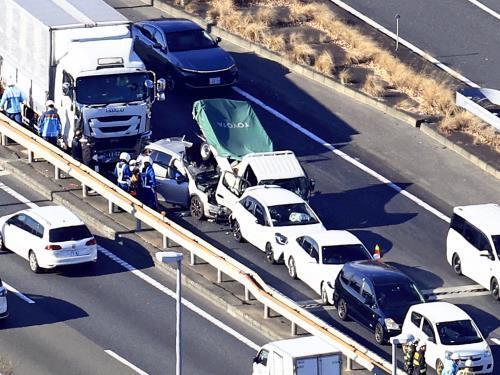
(397, 295)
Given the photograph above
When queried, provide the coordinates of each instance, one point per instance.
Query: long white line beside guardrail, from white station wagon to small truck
(185, 302)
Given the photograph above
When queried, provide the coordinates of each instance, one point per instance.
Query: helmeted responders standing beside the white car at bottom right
(414, 361)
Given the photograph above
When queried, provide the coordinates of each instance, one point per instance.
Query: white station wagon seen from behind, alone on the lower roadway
(48, 237)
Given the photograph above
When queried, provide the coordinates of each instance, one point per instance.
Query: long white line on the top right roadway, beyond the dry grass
(404, 42)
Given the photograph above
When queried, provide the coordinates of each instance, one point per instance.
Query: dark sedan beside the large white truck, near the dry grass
(185, 52)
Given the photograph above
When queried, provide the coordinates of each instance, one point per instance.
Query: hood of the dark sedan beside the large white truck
(204, 60)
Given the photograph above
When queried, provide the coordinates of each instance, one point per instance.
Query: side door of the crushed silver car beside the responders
(173, 186)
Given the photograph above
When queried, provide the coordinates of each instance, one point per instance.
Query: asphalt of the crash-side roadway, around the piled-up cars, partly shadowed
(411, 235)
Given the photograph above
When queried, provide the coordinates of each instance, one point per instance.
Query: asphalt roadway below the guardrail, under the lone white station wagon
(81, 318)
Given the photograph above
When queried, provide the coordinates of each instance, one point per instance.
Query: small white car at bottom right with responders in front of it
(446, 329)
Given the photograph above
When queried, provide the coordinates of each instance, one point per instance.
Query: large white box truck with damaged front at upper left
(79, 54)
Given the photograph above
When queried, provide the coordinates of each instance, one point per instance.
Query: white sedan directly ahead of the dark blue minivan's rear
(317, 259)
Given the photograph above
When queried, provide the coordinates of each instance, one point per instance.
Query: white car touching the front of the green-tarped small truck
(267, 216)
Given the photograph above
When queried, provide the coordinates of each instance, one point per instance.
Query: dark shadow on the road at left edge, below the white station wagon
(45, 310)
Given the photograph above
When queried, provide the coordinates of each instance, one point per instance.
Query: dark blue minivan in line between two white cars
(376, 295)
